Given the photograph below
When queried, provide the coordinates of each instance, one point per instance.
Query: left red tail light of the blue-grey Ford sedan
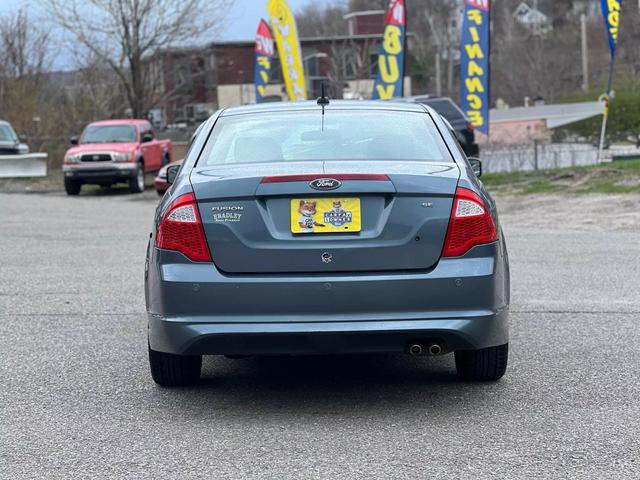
(181, 230)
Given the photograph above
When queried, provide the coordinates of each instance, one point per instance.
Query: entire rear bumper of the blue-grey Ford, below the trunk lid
(193, 308)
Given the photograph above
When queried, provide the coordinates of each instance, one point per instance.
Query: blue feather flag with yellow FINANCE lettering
(474, 63)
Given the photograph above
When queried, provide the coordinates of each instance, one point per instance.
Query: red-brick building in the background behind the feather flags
(192, 83)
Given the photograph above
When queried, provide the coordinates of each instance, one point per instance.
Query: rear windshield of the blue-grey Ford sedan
(344, 135)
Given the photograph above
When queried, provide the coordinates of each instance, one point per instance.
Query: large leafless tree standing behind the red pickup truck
(124, 33)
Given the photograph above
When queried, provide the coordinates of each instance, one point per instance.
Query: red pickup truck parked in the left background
(114, 151)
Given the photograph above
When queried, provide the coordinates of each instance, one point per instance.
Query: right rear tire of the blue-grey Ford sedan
(484, 365)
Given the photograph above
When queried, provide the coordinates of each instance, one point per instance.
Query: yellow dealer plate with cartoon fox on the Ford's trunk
(325, 215)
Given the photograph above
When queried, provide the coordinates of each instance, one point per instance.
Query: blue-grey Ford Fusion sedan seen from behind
(314, 228)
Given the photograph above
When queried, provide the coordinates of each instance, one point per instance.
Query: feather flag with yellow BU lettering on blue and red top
(389, 82)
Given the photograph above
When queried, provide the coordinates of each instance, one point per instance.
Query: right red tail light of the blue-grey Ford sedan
(470, 224)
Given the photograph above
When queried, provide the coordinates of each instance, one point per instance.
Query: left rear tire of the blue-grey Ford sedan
(169, 370)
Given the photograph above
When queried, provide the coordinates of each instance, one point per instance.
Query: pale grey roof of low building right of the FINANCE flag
(555, 115)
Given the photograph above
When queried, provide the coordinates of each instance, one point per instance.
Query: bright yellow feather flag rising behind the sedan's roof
(286, 35)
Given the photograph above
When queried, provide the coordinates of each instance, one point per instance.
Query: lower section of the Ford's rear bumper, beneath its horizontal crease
(189, 336)
